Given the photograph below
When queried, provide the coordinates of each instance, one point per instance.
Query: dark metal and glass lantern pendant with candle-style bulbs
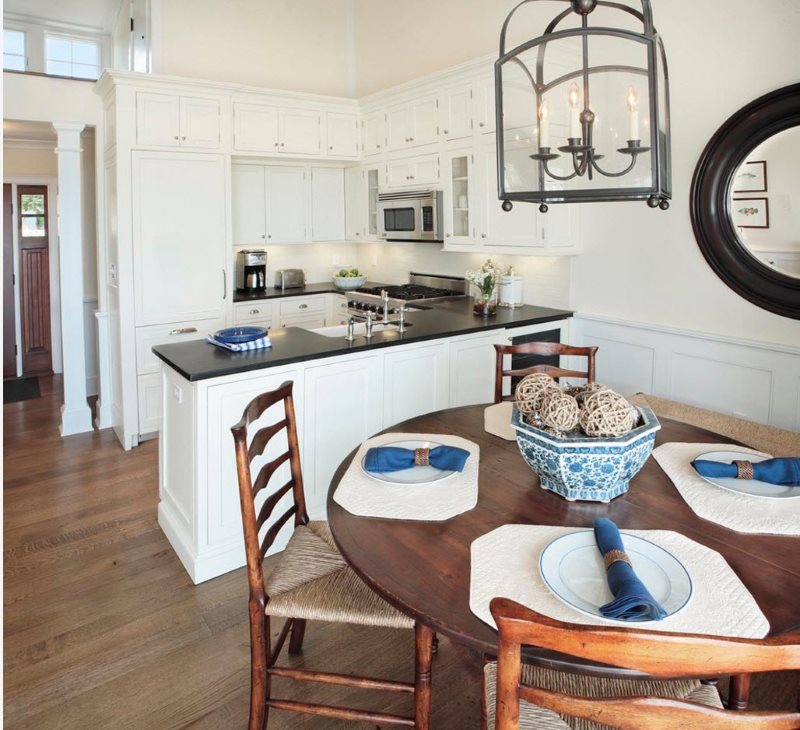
(583, 110)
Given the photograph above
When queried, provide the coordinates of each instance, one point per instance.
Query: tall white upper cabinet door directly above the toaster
(286, 204)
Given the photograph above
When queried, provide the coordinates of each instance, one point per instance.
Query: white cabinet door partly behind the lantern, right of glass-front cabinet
(497, 227)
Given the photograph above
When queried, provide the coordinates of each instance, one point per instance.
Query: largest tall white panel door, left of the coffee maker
(179, 236)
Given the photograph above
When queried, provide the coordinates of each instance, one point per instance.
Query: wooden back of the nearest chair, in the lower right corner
(660, 655)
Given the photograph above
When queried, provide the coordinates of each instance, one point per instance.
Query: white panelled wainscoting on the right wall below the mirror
(752, 380)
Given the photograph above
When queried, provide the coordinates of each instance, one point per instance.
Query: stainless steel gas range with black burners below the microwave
(422, 289)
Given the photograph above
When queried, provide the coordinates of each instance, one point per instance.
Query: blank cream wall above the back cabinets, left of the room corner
(299, 45)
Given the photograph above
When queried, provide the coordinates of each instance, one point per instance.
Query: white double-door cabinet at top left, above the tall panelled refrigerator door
(167, 120)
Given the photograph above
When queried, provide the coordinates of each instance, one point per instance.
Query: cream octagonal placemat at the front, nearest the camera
(505, 562)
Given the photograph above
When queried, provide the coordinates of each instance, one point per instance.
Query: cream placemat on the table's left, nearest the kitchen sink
(362, 495)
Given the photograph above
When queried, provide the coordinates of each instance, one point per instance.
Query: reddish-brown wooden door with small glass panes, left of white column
(34, 275)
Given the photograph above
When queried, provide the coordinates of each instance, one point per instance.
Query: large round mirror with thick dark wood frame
(745, 202)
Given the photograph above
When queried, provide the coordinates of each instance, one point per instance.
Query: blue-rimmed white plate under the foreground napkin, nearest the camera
(573, 569)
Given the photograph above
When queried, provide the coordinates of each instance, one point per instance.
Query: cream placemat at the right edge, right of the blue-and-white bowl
(739, 512)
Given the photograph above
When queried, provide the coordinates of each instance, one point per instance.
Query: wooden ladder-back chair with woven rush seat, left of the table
(310, 581)
